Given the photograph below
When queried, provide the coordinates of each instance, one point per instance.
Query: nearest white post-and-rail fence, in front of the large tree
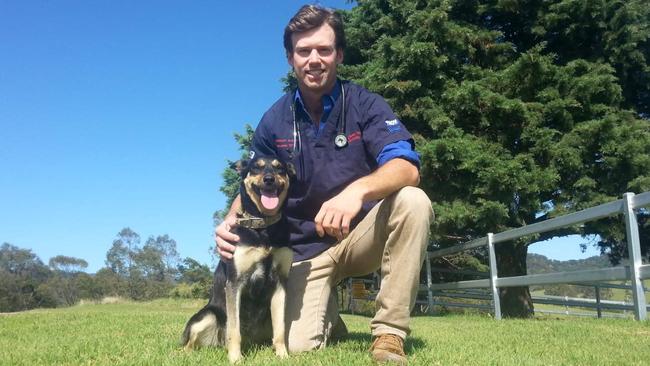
(636, 272)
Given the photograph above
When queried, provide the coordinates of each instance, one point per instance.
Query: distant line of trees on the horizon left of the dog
(132, 271)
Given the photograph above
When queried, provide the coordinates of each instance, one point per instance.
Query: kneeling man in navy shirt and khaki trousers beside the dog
(353, 207)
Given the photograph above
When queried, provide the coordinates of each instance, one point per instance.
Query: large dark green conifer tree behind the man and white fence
(523, 110)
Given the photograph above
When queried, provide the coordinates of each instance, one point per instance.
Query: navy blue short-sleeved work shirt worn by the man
(323, 169)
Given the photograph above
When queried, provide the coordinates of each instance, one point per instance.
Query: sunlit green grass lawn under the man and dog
(148, 334)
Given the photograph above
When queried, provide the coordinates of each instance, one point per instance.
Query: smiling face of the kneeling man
(314, 59)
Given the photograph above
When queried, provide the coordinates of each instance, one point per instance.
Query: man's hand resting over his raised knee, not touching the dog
(336, 214)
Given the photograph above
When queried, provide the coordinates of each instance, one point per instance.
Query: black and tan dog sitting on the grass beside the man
(249, 291)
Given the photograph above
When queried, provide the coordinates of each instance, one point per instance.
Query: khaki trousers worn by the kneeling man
(392, 237)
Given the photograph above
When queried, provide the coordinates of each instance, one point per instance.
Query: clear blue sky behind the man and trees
(121, 114)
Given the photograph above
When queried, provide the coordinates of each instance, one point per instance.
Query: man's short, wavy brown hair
(309, 17)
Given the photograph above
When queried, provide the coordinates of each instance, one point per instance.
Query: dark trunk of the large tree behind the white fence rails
(516, 302)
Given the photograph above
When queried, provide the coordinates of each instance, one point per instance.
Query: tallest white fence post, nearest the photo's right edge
(634, 252)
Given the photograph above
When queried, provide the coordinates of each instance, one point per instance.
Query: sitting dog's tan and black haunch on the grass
(205, 328)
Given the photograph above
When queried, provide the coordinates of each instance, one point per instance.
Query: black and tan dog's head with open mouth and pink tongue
(265, 183)
